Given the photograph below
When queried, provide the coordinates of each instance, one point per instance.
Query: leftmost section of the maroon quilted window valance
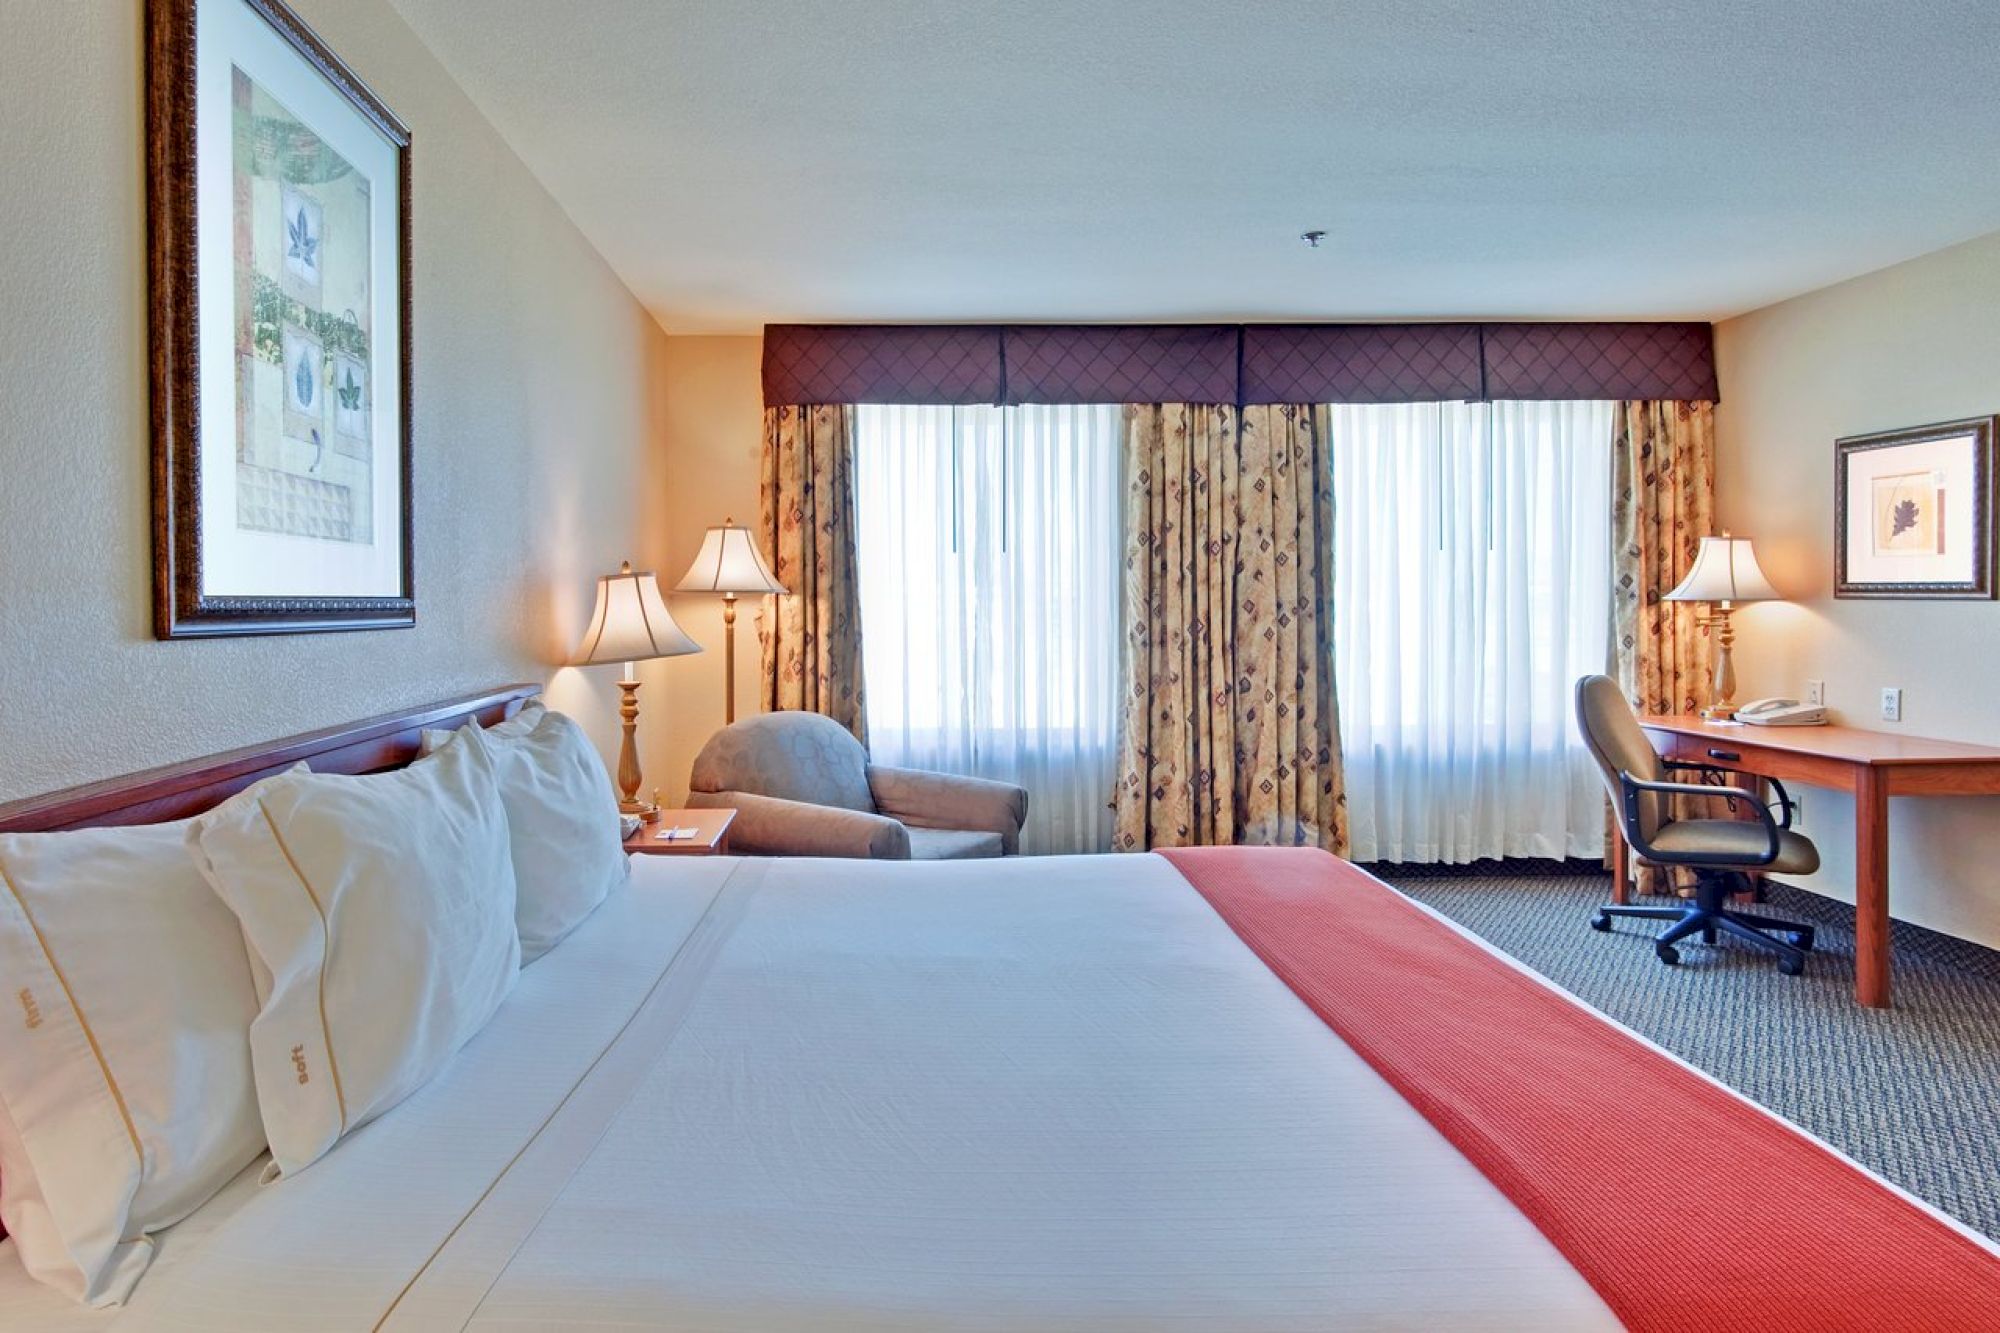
(881, 363)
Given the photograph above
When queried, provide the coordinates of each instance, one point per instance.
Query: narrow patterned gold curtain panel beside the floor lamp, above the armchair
(813, 637)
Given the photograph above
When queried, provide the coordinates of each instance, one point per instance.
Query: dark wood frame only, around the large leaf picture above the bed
(181, 607)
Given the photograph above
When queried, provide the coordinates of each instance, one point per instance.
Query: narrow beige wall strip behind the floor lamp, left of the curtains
(715, 413)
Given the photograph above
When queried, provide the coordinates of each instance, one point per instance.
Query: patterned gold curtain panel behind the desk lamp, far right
(1663, 503)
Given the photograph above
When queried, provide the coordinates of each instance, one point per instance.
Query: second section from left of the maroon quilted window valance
(1121, 363)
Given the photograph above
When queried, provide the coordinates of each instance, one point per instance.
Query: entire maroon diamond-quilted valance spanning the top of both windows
(1235, 363)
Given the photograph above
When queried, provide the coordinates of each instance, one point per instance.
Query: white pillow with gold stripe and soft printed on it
(381, 924)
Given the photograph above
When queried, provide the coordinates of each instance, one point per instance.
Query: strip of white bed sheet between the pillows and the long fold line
(333, 1246)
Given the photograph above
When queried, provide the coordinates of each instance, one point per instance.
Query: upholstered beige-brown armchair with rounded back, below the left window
(803, 788)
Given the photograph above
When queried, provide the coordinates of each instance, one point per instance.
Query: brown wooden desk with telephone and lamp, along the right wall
(1875, 766)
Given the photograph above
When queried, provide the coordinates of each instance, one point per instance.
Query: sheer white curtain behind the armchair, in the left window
(989, 583)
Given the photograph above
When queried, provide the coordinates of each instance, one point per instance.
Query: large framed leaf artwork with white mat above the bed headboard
(279, 205)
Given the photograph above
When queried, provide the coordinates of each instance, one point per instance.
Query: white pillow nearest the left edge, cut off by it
(125, 1054)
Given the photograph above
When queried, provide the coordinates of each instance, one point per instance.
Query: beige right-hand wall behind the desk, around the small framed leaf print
(1901, 347)
